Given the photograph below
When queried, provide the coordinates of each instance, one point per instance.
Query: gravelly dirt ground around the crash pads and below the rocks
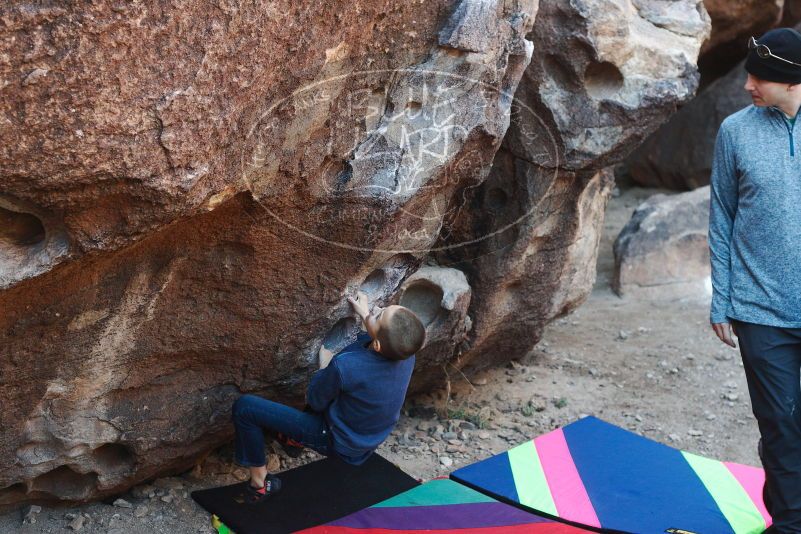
(654, 367)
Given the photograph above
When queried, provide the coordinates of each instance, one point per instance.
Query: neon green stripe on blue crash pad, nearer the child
(532, 488)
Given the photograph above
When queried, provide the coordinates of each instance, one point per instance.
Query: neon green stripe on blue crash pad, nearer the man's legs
(733, 501)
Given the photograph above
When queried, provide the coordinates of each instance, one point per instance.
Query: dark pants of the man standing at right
(772, 362)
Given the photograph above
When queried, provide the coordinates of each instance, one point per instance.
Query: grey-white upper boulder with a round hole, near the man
(606, 75)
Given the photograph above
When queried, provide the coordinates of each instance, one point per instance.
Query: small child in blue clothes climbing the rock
(354, 400)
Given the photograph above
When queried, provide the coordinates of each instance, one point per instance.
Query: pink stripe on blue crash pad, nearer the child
(567, 489)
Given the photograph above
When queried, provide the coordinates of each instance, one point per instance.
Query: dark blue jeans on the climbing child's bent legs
(252, 414)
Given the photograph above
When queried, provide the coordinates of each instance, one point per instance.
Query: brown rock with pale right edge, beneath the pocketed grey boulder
(536, 261)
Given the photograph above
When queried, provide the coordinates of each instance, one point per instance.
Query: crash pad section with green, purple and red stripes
(442, 506)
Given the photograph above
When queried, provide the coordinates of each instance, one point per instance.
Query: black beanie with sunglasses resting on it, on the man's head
(785, 43)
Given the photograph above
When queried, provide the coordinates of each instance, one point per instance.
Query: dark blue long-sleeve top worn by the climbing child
(361, 394)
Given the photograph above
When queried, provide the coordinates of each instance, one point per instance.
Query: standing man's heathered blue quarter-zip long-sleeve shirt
(755, 219)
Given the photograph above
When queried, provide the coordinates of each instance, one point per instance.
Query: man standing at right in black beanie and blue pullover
(755, 252)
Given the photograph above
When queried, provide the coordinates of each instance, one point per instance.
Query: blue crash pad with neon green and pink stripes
(598, 475)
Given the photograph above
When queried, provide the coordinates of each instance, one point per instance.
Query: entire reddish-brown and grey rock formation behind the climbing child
(190, 191)
